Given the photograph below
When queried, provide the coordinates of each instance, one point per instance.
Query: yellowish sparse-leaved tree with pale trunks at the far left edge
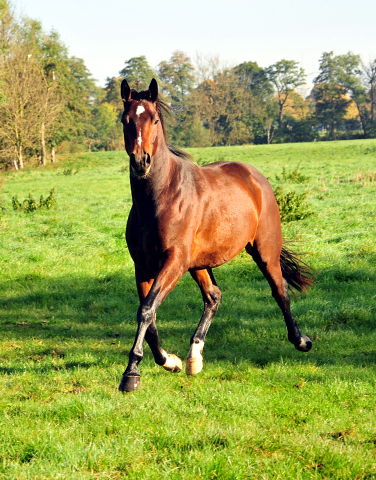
(31, 102)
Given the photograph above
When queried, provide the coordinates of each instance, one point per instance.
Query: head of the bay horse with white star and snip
(141, 124)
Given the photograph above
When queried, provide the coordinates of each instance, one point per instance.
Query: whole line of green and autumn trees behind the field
(49, 101)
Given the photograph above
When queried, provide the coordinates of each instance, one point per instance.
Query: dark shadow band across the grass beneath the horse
(248, 327)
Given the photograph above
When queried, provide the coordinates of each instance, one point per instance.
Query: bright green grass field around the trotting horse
(260, 408)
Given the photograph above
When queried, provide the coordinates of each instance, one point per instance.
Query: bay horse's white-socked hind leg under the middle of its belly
(212, 298)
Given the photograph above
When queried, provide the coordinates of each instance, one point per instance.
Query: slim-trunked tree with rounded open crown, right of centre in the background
(286, 76)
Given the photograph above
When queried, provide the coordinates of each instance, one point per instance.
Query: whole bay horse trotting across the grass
(190, 218)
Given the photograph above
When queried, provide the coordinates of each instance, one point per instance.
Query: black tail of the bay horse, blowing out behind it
(297, 273)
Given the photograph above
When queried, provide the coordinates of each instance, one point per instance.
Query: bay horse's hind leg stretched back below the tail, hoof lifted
(267, 257)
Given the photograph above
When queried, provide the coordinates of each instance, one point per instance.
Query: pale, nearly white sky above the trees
(107, 33)
